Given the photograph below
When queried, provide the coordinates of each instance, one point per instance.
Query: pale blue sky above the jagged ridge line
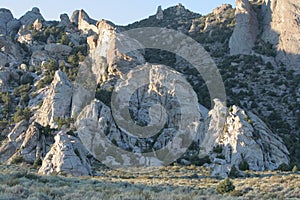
(118, 11)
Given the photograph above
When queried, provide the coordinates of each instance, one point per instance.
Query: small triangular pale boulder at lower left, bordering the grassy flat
(66, 156)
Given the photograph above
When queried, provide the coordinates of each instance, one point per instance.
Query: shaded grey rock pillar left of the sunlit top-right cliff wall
(246, 29)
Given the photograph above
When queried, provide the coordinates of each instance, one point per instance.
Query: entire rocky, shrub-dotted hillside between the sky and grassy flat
(57, 80)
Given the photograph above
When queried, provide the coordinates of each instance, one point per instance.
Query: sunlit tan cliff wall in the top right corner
(281, 27)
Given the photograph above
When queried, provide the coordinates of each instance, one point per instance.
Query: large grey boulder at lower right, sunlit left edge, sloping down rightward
(246, 137)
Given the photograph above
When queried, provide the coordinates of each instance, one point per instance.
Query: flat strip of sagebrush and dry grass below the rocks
(172, 182)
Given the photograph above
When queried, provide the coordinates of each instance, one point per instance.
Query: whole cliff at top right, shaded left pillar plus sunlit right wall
(278, 24)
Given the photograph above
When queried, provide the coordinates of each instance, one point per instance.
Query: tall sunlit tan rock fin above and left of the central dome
(107, 61)
